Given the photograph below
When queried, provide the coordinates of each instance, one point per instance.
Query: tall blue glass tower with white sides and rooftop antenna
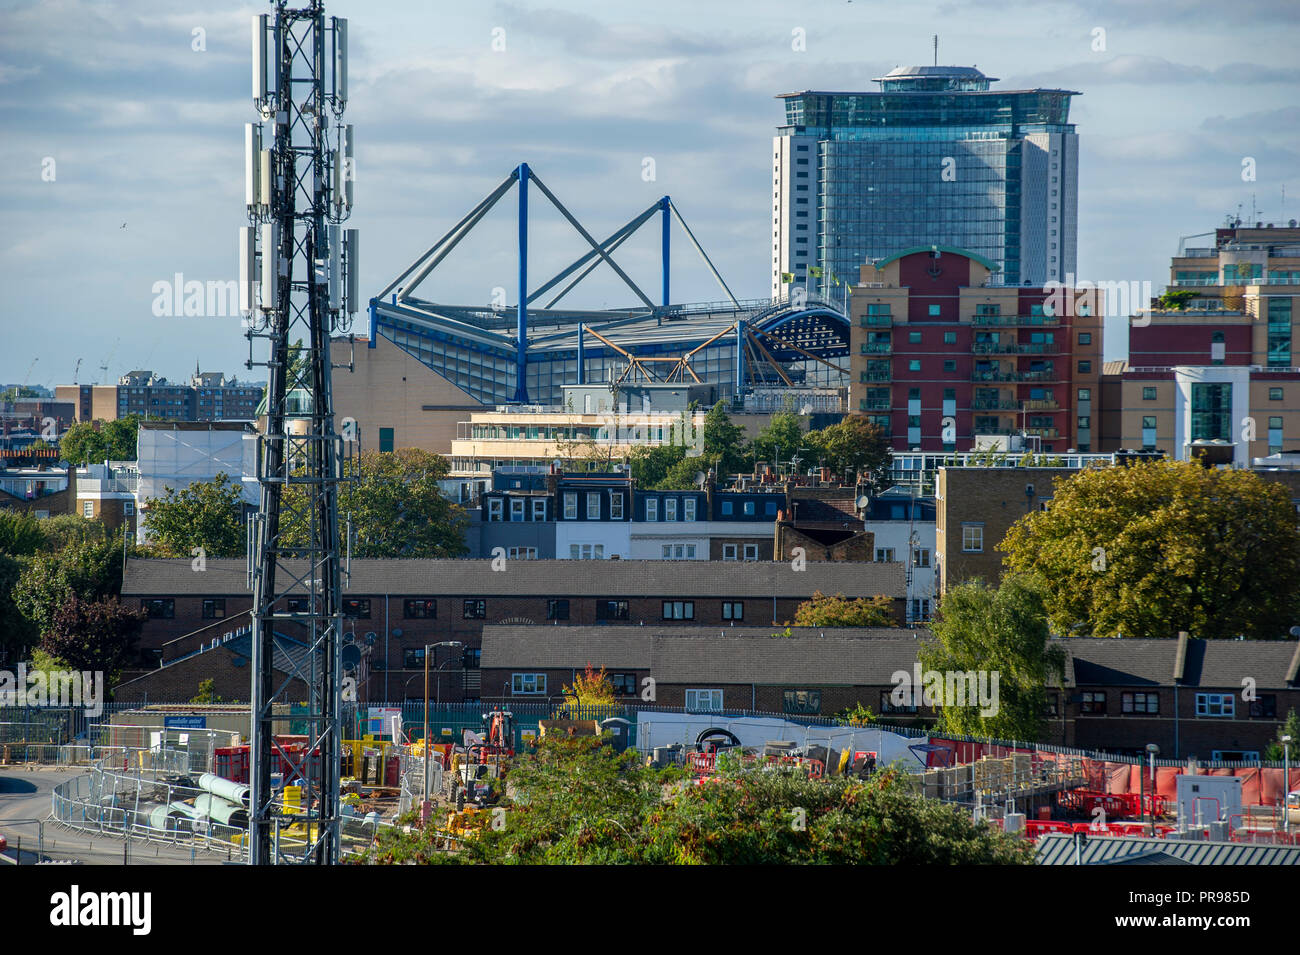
(934, 158)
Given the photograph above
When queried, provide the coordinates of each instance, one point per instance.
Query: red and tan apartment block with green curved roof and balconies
(934, 336)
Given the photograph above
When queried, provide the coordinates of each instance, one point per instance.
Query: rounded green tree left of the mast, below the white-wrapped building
(207, 514)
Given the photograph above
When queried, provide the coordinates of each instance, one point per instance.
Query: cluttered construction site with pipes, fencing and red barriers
(179, 778)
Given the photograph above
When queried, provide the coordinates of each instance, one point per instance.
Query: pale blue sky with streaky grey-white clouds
(122, 142)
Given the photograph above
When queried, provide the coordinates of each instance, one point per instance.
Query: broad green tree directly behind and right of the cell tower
(396, 506)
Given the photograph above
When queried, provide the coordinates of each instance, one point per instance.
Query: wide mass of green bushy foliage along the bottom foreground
(575, 801)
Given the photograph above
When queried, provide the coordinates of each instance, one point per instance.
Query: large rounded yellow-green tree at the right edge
(1159, 548)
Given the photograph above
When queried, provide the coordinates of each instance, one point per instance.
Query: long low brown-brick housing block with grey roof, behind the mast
(395, 609)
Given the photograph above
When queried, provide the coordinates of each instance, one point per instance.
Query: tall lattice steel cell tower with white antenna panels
(298, 284)
